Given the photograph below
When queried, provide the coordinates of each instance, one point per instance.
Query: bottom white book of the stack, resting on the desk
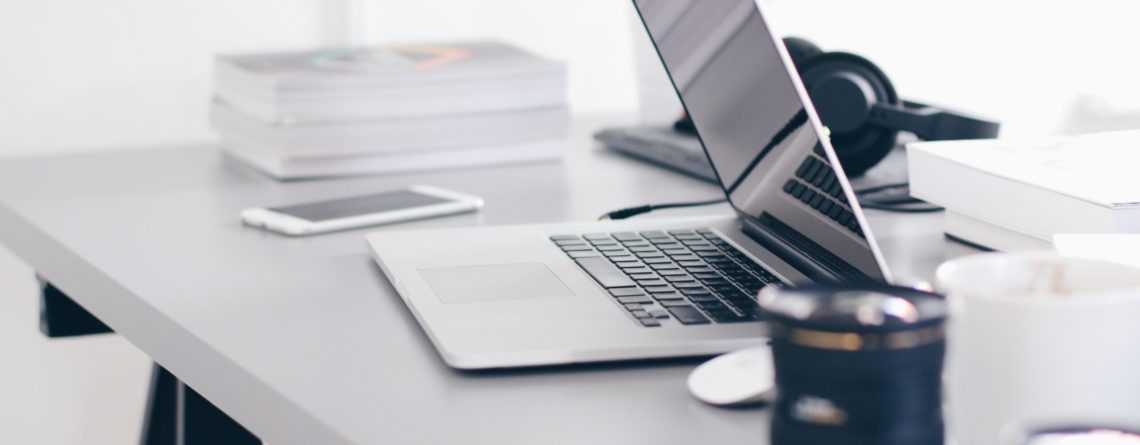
(283, 168)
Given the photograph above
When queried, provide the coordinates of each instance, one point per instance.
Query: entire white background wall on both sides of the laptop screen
(77, 76)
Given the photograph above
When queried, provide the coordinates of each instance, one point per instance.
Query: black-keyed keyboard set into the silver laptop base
(689, 277)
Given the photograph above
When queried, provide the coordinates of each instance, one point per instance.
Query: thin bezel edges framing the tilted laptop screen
(751, 224)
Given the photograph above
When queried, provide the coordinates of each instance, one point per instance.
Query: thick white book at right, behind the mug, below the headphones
(1086, 184)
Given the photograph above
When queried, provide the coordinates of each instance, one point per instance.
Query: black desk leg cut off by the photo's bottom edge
(178, 416)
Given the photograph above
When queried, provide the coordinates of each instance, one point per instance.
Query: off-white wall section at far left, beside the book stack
(80, 75)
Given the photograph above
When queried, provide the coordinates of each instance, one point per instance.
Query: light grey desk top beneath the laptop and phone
(304, 342)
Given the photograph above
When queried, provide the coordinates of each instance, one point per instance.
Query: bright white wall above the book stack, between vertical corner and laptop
(592, 36)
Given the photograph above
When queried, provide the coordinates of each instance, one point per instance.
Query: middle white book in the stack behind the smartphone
(349, 139)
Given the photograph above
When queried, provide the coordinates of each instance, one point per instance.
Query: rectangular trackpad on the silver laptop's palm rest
(494, 284)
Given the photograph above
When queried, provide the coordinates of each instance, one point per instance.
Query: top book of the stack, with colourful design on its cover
(396, 82)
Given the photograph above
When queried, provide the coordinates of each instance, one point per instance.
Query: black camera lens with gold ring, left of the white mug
(857, 366)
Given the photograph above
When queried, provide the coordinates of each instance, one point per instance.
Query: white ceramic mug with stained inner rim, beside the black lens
(1039, 336)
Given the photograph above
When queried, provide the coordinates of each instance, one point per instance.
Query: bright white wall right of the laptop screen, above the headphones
(1025, 63)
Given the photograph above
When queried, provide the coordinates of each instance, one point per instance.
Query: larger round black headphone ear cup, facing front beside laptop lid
(844, 87)
